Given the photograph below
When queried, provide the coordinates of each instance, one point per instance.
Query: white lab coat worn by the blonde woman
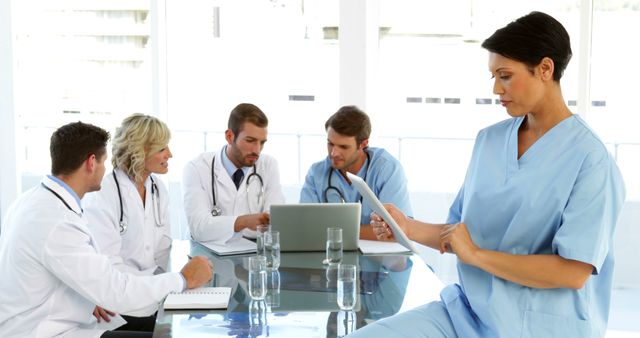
(144, 246)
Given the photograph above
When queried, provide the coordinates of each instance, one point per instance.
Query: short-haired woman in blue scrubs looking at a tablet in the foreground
(532, 226)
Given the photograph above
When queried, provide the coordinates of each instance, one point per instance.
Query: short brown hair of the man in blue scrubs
(350, 121)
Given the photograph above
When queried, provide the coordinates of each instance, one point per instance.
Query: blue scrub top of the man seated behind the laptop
(384, 175)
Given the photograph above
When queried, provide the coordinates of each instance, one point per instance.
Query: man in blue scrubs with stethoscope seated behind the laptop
(348, 149)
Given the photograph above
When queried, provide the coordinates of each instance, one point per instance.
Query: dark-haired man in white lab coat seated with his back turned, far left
(53, 274)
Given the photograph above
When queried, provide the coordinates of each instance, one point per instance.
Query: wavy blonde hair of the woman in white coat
(137, 136)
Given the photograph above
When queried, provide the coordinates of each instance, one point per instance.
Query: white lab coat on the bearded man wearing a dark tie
(198, 199)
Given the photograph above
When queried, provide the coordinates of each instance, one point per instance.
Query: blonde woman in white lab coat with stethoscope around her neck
(129, 215)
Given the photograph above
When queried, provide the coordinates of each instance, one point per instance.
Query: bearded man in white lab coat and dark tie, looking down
(234, 197)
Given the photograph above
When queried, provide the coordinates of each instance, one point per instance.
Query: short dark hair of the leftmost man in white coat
(73, 143)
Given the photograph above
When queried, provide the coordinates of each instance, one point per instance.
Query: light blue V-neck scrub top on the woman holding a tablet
(563, 196)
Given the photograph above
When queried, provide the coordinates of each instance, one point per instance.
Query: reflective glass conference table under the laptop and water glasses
(301, 295)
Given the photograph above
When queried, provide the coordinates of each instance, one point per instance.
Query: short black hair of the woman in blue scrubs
(531, 38)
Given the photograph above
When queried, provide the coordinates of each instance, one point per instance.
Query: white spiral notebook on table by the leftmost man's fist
(199, 298)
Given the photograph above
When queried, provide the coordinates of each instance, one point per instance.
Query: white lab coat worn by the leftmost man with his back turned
(53, 274)
